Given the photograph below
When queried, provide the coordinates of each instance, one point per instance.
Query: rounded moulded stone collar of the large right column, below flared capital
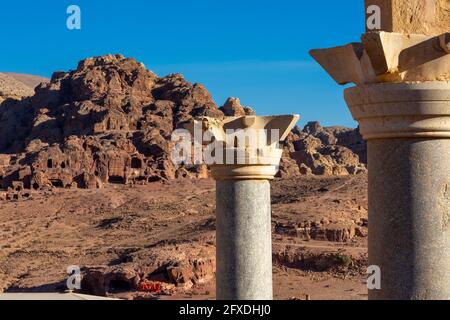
(401, 110)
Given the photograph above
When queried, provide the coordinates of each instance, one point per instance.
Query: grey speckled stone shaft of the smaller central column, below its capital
(244, 234)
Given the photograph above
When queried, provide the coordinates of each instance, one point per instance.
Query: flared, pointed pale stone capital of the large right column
(386, 57)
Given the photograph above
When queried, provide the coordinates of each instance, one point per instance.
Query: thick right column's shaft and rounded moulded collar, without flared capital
(407, 127)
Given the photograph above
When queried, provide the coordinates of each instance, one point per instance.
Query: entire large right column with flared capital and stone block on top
(401, 69)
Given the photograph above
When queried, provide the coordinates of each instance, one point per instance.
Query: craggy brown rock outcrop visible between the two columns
(323, 151)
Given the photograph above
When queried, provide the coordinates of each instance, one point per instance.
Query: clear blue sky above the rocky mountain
(256, 50)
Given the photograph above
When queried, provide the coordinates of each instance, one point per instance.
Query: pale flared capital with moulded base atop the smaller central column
(245, 147)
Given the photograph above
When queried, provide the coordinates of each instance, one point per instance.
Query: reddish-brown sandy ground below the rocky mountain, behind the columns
(164, 232)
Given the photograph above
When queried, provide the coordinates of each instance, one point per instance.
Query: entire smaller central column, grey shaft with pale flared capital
(245, 157)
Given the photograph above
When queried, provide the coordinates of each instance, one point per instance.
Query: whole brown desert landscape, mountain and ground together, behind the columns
(87, 180)
